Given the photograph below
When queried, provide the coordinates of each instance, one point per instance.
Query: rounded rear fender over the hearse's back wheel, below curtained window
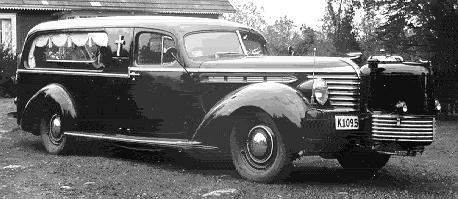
(50, 96)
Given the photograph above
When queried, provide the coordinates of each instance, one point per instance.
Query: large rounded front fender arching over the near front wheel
(284, 104)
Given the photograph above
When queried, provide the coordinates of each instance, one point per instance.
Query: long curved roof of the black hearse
(173, 24)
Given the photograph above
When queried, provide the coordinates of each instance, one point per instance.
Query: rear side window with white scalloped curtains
(79, 50)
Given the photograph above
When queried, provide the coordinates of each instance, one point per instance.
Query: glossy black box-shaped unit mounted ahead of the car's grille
(406, 82)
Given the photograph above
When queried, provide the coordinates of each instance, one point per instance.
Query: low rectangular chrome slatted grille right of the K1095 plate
(403, 128)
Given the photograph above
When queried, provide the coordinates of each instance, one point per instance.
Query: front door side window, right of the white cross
(152, 48)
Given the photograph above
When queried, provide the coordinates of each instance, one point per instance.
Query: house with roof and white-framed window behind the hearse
(17, 17)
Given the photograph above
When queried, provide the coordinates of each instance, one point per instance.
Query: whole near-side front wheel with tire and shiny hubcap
(257, 149)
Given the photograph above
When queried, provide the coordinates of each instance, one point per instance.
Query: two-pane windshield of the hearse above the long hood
(215, 45)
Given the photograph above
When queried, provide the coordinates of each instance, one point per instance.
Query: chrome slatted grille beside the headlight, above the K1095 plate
(343, 91)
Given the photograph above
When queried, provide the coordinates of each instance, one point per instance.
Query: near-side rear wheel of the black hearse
(52, 133)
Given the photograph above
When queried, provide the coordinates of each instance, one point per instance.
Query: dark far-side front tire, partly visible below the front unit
(364, 161)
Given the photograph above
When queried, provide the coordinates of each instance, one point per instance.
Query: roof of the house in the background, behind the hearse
(157, 6)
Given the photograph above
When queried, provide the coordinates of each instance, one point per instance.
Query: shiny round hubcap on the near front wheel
(260, 144)
